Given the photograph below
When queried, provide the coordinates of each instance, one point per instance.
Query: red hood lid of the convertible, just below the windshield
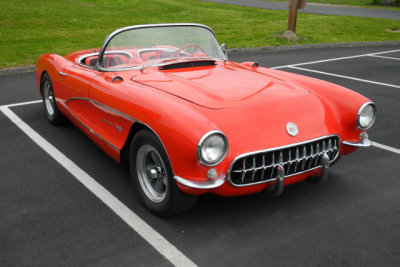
(220, 86)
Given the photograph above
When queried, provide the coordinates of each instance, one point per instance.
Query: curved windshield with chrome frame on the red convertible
(148, 46)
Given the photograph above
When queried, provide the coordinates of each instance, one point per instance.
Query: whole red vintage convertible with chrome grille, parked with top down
(189, 121)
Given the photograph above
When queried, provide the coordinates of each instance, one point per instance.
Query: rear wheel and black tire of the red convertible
(49, 101)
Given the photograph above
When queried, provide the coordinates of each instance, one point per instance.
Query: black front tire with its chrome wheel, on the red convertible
(152, 174)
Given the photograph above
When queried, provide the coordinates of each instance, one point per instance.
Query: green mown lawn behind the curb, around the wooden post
(48, 26)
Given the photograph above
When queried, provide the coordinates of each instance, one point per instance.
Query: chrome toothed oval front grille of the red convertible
(262, 166)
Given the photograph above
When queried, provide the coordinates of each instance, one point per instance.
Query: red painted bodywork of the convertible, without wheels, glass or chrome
(251, 106)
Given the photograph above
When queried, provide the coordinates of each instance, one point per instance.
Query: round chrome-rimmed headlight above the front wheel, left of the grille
(212, 148)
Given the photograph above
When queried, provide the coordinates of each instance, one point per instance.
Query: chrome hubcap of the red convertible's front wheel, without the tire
(151, 173)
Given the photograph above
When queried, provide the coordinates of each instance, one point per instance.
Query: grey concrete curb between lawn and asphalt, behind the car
(11, 71)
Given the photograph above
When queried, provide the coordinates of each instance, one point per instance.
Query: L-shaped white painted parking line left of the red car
(163, 246)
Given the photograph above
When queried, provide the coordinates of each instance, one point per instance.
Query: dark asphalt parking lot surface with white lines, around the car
(84, 212)
